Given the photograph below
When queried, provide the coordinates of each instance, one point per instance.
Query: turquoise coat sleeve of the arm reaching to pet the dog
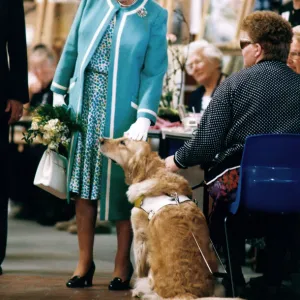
(155, 67)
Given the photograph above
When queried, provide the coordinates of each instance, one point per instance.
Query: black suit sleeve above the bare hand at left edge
(17, 53)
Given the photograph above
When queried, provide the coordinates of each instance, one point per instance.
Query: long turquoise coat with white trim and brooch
(138, 62)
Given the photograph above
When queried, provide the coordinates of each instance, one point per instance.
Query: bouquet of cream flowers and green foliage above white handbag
(52, 126)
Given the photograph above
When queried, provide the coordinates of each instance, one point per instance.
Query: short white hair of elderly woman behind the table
(206, 49)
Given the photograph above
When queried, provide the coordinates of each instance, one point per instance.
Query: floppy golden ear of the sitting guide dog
(136, 167)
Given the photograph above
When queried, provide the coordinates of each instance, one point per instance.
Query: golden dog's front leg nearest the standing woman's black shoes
(139, 220)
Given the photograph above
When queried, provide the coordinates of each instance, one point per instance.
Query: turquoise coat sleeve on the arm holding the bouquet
(67, 62)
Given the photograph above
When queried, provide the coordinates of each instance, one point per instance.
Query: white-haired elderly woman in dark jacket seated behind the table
(204, 63)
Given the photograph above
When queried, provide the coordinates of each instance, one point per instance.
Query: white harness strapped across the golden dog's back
(151, 205)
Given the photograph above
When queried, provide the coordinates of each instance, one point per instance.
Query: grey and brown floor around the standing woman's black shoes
(40, 260)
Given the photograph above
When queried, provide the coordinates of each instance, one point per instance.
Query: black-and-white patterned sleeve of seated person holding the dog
(209, 138)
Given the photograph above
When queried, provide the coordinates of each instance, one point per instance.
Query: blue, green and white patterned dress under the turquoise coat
(86, 173)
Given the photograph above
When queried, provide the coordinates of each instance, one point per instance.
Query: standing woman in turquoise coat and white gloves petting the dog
(111, 70)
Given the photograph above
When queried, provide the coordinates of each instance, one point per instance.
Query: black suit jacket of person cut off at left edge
(13, 53)
